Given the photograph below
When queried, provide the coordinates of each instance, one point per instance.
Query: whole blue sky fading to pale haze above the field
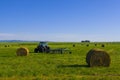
(60, 20)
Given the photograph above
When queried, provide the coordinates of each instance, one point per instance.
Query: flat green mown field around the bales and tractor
(45, 66)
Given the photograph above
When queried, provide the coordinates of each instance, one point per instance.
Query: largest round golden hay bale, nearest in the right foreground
(98, 57)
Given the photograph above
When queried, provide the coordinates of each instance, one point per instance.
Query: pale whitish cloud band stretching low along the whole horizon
(58, 37)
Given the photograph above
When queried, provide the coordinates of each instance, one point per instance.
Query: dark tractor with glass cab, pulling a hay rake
(42, 47)
